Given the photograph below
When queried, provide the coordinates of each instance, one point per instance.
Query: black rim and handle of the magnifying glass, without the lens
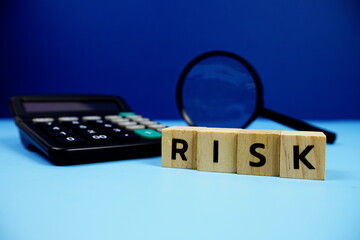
(260, 110)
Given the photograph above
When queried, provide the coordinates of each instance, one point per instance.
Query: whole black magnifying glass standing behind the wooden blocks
(221, 89)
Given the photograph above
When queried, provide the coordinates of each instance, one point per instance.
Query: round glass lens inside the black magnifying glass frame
(219, 91)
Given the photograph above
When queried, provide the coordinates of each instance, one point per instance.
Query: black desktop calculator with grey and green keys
(75, 129)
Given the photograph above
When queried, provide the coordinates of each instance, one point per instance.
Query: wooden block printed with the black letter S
(258, 152)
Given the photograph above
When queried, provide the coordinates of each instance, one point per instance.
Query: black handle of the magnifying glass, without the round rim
(296, 124)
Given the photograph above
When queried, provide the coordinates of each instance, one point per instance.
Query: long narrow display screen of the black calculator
(32, 107)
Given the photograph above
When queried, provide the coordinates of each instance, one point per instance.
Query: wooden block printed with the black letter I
(216, 151)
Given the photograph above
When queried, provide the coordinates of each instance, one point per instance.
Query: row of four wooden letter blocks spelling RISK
(289, 154)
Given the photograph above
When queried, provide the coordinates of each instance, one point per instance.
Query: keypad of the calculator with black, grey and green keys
(122, 128)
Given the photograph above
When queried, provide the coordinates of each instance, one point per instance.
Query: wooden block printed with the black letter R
(178, 147)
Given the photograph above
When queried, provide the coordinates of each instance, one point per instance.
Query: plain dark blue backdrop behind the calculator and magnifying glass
(306, 52)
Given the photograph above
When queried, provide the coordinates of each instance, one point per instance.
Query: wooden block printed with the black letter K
(302, 155)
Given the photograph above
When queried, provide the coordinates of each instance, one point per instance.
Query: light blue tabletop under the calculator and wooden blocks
(138, 199)
